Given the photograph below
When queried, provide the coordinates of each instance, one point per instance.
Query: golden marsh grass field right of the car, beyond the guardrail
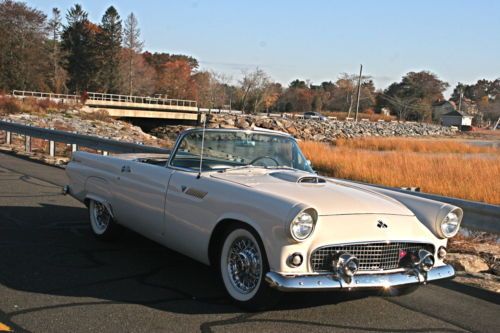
(441, 166)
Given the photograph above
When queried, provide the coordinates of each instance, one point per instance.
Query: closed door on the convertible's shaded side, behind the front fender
(140, 194)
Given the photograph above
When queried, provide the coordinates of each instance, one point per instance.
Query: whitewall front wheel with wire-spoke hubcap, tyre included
(243, 266)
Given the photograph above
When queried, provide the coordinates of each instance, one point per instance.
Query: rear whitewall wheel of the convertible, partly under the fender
(101, 222)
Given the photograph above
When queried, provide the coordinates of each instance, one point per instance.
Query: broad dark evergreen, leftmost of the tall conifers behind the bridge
(79, 41)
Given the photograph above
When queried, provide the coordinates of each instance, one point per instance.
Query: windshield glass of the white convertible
(231, 149)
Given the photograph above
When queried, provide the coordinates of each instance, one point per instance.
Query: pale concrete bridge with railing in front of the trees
(123, 106)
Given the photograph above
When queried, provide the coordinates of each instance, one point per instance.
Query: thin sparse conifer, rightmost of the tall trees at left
(133, 46)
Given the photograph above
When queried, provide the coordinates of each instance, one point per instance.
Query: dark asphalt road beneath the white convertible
(55, 277)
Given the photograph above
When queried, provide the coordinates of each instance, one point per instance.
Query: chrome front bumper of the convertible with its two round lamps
(417, 268)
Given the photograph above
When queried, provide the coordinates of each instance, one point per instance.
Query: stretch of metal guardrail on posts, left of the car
(76, 140)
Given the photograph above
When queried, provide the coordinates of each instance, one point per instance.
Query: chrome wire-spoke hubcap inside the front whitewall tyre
(244, 264)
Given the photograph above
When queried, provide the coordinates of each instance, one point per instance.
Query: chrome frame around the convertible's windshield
(262, 132)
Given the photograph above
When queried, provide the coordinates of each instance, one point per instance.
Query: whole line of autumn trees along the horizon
(43, 53)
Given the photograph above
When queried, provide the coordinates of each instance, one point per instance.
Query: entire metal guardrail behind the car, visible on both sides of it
(477, 215)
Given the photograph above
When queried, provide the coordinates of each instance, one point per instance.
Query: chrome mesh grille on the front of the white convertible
(371, 256)
